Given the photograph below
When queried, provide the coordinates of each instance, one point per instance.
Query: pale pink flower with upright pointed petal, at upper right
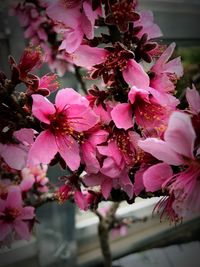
(166, 73)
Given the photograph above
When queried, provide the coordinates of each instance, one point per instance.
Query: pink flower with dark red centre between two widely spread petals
(104, 63)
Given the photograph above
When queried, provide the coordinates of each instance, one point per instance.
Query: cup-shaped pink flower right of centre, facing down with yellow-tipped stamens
(151, 113)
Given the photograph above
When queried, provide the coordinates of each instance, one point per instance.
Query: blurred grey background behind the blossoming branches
(68, 237)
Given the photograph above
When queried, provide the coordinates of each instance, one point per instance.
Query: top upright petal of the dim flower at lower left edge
(14, 198)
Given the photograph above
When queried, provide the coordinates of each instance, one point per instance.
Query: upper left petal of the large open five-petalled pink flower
(42, 108)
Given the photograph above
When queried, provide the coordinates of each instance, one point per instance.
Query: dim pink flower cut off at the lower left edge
(14, 217)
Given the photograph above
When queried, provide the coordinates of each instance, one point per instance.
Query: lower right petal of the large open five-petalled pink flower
(69, 151)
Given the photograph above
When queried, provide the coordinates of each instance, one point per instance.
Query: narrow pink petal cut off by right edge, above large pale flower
(193, 99)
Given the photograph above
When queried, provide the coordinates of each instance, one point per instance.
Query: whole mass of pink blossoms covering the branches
(125, 138)
